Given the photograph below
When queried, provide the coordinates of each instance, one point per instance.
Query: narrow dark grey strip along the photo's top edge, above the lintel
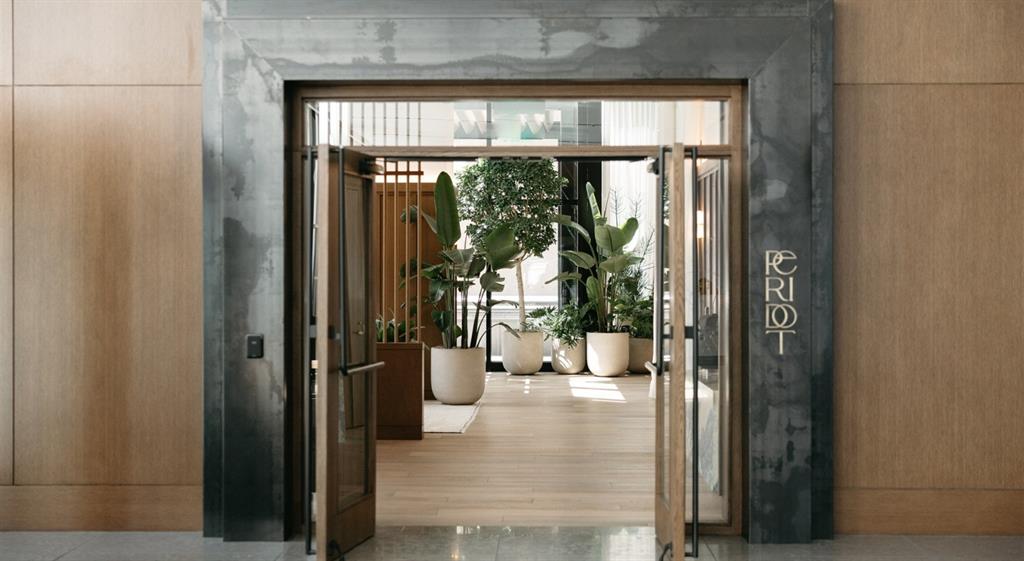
(455, 10)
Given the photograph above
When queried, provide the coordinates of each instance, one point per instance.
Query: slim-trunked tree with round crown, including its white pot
(523, 196)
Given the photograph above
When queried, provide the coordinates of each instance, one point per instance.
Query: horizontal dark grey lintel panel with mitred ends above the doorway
(517, 50)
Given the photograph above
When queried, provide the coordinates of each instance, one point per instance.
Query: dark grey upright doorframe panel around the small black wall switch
(253, 226)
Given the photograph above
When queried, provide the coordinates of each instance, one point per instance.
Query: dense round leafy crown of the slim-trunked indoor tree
(521, 195)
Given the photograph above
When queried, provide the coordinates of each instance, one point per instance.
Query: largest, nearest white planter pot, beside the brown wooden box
(457, 376)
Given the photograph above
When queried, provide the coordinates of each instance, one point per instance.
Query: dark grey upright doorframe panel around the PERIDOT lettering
(779, 385)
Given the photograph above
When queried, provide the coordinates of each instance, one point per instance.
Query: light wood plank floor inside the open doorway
(545, 450)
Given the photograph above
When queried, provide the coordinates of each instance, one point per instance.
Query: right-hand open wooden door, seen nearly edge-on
(670, 370)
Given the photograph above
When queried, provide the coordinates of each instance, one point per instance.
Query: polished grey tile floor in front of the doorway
(498, 544)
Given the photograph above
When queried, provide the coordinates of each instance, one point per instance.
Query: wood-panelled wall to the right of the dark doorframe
(929, 267)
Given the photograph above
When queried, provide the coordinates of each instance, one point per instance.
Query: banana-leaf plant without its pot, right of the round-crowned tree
(604, 262)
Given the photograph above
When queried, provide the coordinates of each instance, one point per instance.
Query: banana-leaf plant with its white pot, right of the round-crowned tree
(605, 261)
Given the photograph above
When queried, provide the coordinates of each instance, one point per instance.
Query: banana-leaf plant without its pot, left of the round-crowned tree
(461, 269)
